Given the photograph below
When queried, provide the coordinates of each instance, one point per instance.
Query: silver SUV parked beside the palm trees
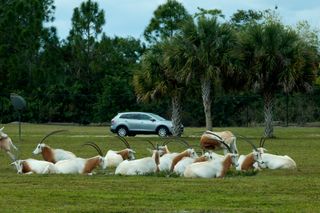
(132, 123)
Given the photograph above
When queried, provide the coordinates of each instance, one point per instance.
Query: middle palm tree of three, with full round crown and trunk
(201, 52)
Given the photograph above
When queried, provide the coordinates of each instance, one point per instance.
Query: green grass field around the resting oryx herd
(266, 191)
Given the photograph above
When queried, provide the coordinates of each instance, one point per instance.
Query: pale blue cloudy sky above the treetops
(129, 18)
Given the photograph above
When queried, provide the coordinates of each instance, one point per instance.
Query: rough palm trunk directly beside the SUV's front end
(176, 114)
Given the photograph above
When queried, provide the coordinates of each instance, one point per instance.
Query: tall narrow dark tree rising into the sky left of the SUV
(87, 22)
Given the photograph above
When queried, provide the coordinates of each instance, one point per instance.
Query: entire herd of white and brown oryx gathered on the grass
(186, 163)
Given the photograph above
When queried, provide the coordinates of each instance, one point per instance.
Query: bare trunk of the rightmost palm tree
(268, 114)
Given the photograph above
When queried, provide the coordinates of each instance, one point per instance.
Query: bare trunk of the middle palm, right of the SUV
(206, 99)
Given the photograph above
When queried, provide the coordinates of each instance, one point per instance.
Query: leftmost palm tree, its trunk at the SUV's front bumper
(153, 81)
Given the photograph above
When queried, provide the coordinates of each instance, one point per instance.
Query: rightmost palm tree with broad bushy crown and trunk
(275, 58)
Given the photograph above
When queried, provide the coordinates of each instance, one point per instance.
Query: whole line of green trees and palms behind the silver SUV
(186, 68)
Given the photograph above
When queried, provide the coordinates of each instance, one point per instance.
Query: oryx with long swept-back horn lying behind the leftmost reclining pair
(50, 154)
